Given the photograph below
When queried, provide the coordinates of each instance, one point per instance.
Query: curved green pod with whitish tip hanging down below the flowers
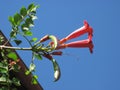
(57, 72)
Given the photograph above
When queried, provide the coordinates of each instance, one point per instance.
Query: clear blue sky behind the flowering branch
(97, 71)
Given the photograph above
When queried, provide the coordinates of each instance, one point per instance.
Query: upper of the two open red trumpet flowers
(85, 29)
